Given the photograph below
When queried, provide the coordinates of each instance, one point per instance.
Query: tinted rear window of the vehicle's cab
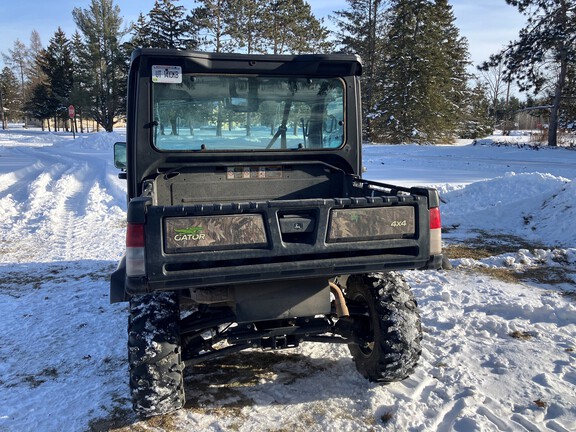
(223, 112)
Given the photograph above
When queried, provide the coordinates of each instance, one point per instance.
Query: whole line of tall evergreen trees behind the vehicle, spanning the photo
(416, 81)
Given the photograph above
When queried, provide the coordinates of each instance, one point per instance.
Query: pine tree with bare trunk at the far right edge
(549, 39)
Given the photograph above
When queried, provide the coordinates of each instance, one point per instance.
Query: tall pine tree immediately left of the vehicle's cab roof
(105, 60)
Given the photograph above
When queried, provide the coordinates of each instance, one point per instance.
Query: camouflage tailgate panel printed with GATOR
(214, 232)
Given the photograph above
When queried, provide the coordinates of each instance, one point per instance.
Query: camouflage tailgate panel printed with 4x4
(371, 224)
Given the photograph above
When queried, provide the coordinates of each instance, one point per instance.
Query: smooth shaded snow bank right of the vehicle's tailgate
(537, 206)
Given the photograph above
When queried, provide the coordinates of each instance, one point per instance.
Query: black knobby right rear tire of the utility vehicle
(390, 327)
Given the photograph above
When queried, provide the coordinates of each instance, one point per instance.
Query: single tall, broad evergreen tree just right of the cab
(423, 75)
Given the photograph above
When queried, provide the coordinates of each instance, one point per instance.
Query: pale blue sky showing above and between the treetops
(487, 24)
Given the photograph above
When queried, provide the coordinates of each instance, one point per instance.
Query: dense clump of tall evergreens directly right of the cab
(417, 86)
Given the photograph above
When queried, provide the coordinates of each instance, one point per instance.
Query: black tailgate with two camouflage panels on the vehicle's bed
(225, 243)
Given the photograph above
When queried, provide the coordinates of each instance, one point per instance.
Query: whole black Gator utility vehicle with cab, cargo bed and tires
(249, 224)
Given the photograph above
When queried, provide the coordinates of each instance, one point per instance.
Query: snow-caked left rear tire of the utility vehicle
(154, 354)
